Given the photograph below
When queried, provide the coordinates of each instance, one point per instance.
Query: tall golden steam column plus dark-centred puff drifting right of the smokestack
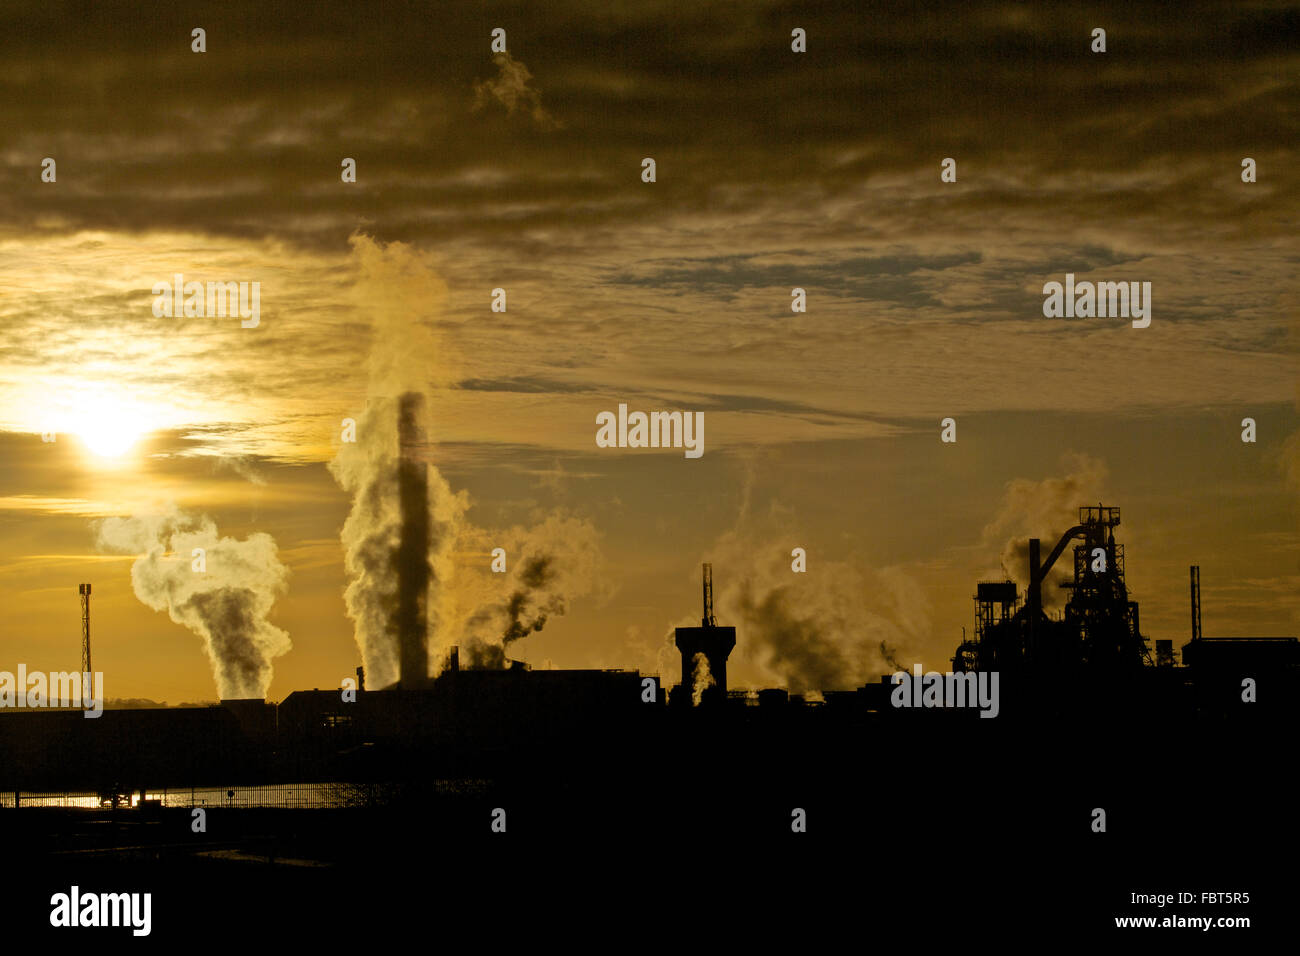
(548, 564)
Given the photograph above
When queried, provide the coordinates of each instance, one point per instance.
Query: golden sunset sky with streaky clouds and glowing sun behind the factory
(774, 170)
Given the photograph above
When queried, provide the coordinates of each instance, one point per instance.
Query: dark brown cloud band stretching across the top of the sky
(246, 140)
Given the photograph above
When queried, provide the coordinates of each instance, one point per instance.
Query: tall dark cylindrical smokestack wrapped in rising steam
(414, 569)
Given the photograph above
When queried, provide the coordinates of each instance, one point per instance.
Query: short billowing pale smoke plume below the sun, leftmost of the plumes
(227, 604)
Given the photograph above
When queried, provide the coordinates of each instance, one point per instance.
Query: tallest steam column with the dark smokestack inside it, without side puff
(400, 535)
